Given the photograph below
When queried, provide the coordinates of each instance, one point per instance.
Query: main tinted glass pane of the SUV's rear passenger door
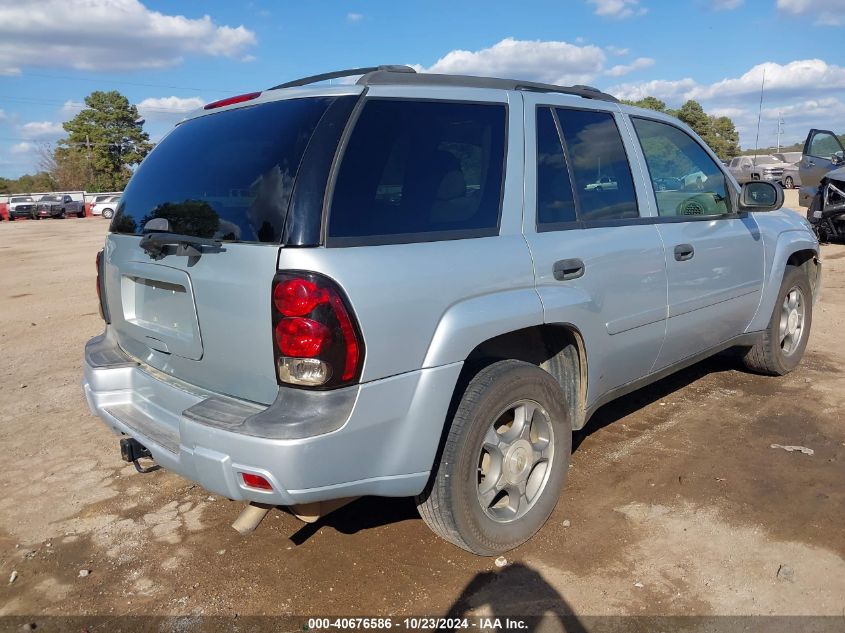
(601, 174)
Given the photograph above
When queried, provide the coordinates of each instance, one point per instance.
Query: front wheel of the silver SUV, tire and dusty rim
(777, 353)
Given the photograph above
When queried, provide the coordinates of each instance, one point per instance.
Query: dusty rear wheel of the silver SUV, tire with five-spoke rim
(452, 506)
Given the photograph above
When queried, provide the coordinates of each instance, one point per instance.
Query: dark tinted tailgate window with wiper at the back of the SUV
(227, 176)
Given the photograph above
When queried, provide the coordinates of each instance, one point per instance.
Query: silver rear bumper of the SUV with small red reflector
(384, 445)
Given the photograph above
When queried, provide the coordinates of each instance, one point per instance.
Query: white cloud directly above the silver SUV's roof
(547, 61)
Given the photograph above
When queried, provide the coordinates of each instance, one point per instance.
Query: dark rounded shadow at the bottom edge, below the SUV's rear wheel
(517, 593)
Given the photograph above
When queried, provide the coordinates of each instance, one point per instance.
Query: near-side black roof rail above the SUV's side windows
(385, 76)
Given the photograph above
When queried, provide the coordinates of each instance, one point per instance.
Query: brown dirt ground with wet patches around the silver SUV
(676, 504)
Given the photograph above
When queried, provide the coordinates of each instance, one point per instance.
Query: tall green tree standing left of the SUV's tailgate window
(105, 140)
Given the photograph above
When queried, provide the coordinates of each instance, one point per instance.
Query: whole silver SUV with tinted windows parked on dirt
(409, 286)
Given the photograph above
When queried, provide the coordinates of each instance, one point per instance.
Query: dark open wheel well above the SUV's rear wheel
(558, 349)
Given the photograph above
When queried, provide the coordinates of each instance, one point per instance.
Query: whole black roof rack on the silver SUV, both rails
(405, 75)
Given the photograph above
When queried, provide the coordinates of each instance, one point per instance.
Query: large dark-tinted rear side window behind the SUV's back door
(420, 171)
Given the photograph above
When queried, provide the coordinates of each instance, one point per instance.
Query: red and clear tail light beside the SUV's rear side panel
(316, 339)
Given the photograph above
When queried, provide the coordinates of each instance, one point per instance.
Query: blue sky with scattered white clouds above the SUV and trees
(171, 57)
